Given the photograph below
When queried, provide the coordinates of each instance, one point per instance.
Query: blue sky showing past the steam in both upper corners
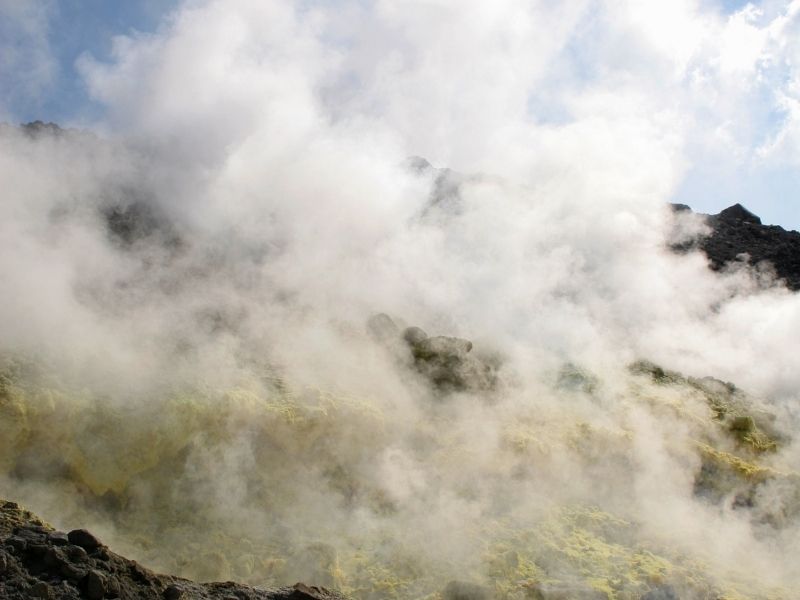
(767, 182)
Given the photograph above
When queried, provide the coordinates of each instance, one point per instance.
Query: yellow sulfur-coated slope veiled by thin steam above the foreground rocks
(269, 485)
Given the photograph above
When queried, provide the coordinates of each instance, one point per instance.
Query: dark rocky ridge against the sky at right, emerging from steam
(736, 232)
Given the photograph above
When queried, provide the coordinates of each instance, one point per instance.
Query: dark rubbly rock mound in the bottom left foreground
(38, 562)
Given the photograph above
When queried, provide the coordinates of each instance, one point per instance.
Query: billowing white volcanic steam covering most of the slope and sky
(198, 273)
